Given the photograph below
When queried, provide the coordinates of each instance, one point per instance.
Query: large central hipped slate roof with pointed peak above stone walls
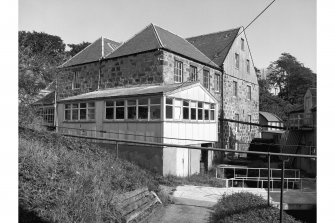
(154, 37)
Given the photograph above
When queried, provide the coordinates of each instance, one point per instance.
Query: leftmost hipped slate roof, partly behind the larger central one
(93, 52)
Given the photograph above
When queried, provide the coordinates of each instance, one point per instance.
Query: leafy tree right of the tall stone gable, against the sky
(291, 77)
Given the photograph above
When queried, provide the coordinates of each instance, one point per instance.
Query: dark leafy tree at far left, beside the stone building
(39, 56)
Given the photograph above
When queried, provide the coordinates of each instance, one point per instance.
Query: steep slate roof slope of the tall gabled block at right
(215, 45)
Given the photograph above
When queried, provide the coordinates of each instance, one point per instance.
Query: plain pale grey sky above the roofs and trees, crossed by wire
(287, 26)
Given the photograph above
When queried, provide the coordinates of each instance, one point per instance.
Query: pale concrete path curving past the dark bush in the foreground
(195, 203)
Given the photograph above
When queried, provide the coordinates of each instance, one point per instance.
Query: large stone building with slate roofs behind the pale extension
(221, 62)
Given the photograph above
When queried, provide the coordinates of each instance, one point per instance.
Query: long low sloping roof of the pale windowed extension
(131, 91)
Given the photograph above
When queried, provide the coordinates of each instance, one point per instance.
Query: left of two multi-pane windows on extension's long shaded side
(80, 111)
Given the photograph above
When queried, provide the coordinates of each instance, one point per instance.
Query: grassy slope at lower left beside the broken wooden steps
(71, 180)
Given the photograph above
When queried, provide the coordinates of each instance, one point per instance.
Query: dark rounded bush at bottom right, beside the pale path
(246, 207)
